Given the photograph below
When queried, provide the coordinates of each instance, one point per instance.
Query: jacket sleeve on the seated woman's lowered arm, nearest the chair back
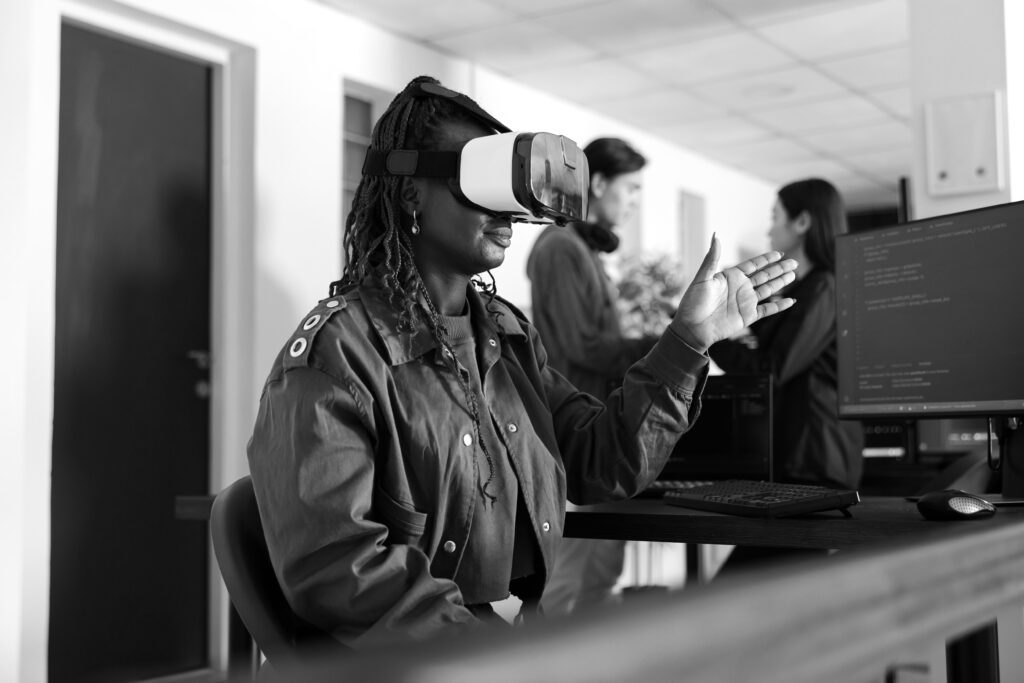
(312, 458)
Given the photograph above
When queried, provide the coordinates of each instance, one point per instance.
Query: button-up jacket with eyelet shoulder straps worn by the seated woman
(367, 475)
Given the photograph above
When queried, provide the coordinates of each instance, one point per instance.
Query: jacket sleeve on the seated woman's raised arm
(615, 450)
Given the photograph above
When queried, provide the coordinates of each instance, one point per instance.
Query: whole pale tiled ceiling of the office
(780, 89)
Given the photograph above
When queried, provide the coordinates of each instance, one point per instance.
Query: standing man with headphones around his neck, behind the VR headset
(574, 309)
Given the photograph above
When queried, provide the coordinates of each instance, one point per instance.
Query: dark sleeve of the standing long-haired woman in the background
(802, 334)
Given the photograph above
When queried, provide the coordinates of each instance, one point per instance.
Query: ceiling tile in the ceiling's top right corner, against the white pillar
(849, 30)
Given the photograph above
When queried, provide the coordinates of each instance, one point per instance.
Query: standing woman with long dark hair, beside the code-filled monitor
(812, 445)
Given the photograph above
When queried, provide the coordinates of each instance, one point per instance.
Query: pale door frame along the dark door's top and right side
(233, 238)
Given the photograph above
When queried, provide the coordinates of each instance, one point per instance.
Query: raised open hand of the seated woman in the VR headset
(718, 305)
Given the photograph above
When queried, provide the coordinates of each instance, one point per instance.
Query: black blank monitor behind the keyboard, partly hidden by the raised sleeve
(732, 439)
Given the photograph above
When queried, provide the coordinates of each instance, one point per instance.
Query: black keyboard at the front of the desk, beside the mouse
(762, 499)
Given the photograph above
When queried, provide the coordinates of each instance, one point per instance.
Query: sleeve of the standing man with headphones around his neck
(564, 307)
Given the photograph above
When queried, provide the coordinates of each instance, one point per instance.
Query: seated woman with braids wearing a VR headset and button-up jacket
(413, 451)
